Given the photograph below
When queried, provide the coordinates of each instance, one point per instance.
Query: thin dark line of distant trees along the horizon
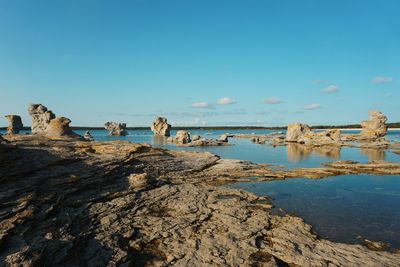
(349, 126)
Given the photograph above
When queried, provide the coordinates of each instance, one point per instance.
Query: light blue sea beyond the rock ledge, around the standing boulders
(292, 156)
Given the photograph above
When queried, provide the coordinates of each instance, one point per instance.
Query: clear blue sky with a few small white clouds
(220, 62)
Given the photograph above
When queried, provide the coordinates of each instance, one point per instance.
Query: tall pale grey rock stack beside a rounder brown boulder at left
(41, 118)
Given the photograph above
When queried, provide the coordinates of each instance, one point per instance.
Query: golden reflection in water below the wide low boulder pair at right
(299, 152)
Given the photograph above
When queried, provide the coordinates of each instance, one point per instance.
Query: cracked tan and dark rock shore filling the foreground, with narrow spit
(71, 202)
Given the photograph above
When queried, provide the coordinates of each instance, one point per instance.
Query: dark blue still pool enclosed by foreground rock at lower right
(340, 208)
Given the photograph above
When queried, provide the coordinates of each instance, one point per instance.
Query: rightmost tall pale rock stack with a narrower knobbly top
(376, 125)
